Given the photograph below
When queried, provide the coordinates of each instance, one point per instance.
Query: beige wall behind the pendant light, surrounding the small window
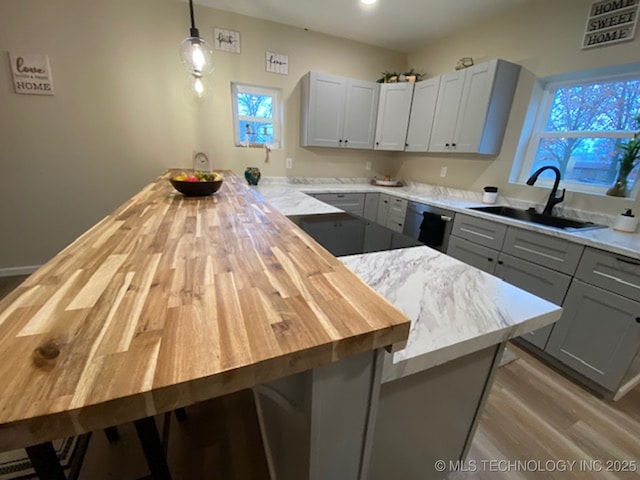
(120, 115)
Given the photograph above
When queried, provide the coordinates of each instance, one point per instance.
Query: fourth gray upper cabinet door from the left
(423, 107)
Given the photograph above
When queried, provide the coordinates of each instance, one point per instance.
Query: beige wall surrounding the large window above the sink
(544, 38)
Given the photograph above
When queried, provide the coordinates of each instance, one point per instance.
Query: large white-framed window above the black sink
(578, 127)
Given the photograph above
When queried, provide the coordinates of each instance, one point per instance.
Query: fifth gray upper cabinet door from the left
(447, 107)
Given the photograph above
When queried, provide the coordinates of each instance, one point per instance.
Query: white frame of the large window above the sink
(538, 115)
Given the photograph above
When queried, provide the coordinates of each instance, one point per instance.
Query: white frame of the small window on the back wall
(276, 119)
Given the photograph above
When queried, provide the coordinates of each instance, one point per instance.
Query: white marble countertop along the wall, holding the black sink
(288, 196)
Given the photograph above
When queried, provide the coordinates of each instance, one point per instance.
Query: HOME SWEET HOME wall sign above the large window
(610, 21)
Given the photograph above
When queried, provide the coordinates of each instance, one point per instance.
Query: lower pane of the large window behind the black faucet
(592, 161)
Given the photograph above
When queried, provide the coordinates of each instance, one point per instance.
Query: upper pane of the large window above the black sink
(598, 107)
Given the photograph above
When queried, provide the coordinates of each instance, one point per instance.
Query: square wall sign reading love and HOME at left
(31, 74)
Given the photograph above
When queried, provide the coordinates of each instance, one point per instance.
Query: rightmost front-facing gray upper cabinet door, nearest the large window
(474, 106)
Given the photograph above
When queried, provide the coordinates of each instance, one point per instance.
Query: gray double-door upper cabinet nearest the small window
(337, 111)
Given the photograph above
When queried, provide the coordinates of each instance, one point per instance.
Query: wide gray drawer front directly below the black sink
(545, 250)
